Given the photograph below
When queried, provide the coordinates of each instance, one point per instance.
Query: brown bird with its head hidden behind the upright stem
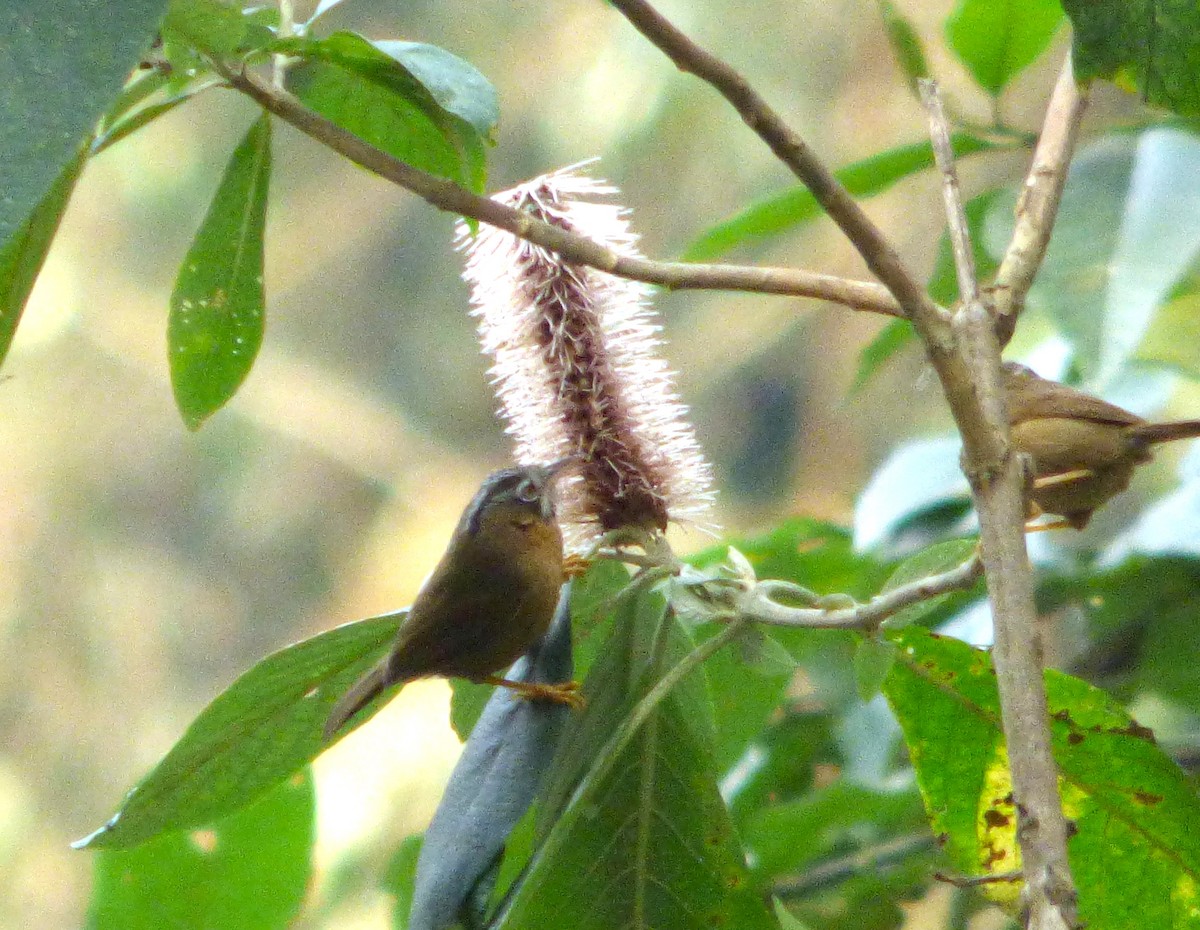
(1084, 449)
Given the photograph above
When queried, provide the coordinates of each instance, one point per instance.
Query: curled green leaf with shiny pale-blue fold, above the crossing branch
(419, 104)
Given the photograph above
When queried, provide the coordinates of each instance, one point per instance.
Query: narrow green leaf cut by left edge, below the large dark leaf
(23, 255)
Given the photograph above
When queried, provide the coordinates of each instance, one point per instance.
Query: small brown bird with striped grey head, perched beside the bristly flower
(489, 601)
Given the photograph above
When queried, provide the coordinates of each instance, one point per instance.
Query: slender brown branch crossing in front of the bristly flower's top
(451, 197)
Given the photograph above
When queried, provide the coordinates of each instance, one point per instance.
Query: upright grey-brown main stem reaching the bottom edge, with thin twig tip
(1000, 502)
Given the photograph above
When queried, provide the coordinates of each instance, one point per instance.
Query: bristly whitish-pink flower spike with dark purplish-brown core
(577, 370)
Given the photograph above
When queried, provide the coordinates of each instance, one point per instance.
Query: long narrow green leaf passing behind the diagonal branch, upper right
(783, 212)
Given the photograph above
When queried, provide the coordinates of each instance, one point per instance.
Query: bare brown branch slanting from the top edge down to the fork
(875, 249)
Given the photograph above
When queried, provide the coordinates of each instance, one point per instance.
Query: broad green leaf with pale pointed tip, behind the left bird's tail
(265, 728)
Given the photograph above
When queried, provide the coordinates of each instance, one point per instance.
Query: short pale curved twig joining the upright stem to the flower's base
(759, 604)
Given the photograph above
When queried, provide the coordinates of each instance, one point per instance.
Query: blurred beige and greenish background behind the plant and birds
(143, 567)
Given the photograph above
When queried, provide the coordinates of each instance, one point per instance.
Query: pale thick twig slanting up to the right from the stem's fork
(1039, 205)
